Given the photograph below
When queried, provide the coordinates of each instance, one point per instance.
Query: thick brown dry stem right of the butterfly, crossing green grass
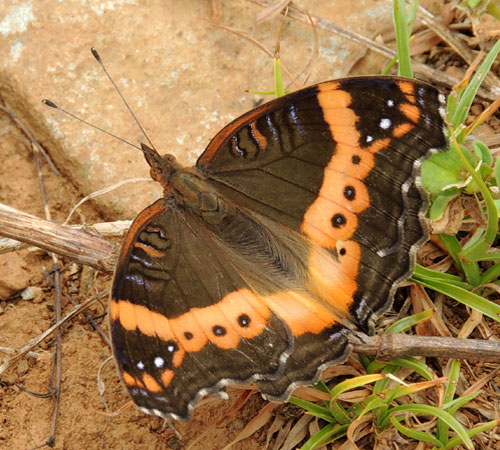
(397, 345)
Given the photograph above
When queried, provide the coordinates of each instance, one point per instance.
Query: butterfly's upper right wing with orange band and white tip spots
(338, 162)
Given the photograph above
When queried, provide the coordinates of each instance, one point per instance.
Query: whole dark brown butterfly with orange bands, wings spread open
(290, 233)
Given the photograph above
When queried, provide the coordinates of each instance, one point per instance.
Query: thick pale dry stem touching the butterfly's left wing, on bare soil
(79, 246)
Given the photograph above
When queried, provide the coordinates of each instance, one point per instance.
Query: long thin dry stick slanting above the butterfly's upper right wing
(429, 72)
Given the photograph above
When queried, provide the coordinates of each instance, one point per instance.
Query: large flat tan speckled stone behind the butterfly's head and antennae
(184, 77)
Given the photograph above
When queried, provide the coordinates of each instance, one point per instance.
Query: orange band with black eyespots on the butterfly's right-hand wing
(332, 219)
